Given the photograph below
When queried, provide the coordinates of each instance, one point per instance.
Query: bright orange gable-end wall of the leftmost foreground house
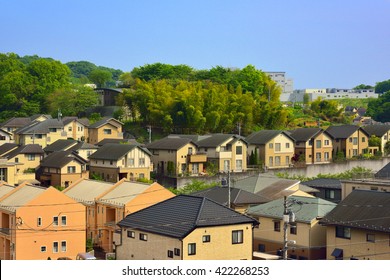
(30, 237)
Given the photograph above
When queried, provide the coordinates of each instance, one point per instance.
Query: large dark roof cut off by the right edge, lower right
(362, 209)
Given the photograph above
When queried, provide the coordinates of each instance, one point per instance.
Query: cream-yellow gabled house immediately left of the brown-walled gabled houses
(274, 148)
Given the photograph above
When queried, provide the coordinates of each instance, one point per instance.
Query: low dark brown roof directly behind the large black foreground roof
(237, 196)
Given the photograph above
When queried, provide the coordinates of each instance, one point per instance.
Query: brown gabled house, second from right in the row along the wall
(350, 140)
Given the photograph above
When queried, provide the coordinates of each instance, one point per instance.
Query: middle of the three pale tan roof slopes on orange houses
(86, 190)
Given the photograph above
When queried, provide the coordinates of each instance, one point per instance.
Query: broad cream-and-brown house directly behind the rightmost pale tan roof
(113, 162)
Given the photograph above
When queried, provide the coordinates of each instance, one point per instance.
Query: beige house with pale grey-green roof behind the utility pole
(308, 235)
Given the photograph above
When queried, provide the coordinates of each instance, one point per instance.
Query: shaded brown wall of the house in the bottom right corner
(358, 246)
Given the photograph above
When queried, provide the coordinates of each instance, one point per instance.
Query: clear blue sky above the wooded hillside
(318, 43)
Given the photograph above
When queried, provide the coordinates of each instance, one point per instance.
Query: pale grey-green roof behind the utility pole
(306, 209)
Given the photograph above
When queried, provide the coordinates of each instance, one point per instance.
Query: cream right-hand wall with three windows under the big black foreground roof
(220, 246)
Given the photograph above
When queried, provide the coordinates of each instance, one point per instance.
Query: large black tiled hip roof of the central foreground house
(180, 215)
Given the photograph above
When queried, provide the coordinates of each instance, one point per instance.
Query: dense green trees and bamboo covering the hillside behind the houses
(171, 98)
